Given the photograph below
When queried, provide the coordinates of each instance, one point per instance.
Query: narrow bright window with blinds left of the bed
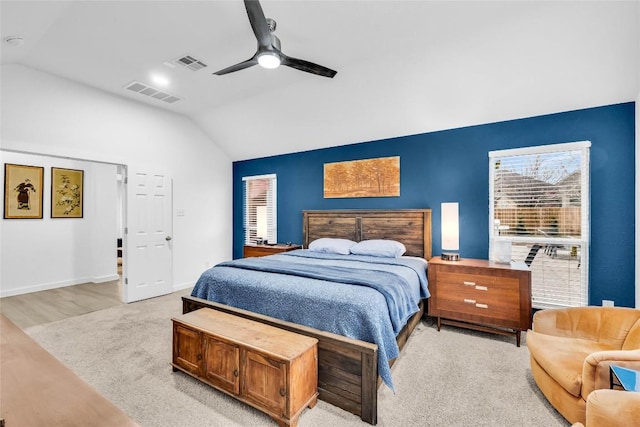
(260, 209)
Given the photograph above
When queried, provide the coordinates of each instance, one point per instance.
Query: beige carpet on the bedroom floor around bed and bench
(448, 378)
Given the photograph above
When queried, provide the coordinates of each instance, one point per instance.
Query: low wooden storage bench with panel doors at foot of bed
(273, 370)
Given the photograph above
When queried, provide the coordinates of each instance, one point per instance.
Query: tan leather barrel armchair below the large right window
(572, 349)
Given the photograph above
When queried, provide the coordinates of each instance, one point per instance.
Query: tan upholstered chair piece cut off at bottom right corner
(609, 408)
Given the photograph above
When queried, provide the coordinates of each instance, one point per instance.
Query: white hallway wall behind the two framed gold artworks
(52, 252)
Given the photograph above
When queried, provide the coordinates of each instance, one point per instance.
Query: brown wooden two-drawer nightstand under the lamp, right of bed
(481, 295)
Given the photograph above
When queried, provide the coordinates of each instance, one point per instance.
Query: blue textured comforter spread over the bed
(361, 297)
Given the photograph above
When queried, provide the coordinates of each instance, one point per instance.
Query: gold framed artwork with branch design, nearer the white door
(67, 189)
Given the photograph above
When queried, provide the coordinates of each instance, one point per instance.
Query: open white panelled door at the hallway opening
(148, 247)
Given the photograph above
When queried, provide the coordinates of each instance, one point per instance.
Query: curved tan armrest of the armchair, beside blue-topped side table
(595, 371)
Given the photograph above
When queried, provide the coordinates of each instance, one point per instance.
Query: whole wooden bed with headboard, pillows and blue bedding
(359, 341)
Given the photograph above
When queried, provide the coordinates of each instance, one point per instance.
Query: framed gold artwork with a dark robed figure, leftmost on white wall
(23, 191)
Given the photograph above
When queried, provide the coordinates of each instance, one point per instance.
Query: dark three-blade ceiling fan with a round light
(269, 54)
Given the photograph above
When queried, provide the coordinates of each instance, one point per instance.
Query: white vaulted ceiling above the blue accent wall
(404, 67)
